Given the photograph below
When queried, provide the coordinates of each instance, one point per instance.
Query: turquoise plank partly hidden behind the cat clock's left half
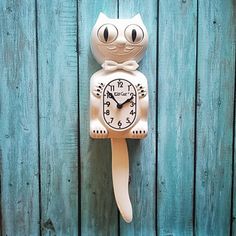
(98, 209)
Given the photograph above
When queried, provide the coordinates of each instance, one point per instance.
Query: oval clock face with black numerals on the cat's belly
(119, 104)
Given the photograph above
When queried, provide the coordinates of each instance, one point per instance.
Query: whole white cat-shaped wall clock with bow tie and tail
(119, 95)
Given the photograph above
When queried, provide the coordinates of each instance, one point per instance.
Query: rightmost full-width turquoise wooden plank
(215, 96)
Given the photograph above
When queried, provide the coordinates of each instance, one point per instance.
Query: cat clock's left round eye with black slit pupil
(107, 33)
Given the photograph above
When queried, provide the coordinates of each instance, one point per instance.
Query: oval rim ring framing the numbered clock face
(103, 106)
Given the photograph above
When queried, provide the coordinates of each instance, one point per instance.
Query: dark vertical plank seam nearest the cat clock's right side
(156, 154)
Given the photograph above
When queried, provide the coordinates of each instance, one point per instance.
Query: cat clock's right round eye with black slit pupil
(134, 34)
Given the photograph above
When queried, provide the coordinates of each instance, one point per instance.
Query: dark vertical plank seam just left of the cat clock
(78, 132)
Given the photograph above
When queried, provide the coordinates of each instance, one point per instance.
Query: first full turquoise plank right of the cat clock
(176, 102)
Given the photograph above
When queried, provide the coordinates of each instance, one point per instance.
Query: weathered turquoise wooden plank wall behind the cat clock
(55, 180)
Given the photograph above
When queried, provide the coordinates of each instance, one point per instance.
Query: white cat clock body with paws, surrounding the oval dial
(98, 127)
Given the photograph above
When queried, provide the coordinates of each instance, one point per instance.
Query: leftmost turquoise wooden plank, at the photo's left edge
(18, 119)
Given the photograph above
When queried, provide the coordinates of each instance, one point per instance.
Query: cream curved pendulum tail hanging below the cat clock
(120, 177)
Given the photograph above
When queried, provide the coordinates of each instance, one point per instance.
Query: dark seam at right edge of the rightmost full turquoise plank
(233, 155)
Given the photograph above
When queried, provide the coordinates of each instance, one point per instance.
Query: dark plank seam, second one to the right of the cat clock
(195, 128)
